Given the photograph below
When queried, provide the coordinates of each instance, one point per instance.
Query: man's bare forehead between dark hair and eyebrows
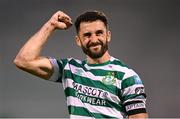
(91, 26)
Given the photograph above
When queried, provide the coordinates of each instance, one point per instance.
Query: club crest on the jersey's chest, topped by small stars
(109, 79)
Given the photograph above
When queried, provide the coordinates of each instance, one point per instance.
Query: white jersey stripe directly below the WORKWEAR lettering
(94, 109)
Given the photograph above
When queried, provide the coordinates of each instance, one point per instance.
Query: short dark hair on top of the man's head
(90, 16)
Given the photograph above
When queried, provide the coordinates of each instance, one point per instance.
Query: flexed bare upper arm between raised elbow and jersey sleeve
(40, 67)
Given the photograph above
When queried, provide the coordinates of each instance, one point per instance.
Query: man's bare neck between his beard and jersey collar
(106, 57)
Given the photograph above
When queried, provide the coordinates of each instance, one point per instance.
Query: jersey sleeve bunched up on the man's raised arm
(58, 66)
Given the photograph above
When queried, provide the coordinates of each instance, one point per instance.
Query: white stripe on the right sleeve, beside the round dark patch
(131, 89)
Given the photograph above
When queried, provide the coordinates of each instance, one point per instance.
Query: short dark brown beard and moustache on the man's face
(95, 54)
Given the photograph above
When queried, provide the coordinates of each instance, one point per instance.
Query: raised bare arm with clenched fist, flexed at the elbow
(29, 59)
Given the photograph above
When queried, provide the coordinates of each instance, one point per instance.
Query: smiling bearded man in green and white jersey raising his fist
(100, 86)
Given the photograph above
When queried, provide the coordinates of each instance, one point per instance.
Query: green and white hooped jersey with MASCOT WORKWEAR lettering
(107, 90)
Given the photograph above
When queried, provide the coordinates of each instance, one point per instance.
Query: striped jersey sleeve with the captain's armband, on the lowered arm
(133, 94)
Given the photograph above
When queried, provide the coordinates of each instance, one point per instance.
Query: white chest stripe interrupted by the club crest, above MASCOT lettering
(90, 75)
